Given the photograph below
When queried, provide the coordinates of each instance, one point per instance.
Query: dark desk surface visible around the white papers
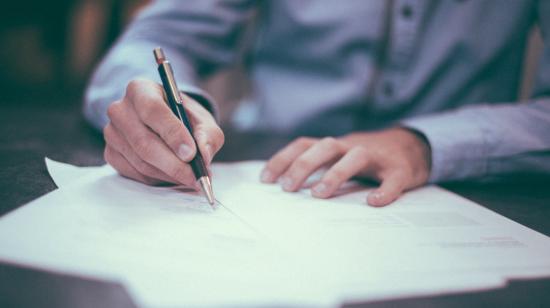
(27, 136)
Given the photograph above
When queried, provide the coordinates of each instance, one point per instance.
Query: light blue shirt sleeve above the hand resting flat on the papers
(493, 140)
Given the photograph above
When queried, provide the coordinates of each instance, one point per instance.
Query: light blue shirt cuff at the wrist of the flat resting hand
(458, 145)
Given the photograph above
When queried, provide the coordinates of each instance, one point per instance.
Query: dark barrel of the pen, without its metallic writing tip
(176, 105)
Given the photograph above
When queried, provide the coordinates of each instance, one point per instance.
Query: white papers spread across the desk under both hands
(262, 246)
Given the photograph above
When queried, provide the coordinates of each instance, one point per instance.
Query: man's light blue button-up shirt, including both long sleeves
(448, 69)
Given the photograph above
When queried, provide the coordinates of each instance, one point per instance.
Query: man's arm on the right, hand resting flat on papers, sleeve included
(466, 143)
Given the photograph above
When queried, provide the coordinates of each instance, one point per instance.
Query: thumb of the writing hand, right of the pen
(207, 133)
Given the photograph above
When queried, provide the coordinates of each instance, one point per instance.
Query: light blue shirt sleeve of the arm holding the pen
(198, 37)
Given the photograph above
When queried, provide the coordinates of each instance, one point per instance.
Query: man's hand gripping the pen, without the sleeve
(146, 142)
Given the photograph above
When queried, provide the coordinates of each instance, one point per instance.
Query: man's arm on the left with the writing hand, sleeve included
(144, 139)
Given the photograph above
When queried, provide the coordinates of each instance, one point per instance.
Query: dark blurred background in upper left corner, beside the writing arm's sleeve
(48, 48)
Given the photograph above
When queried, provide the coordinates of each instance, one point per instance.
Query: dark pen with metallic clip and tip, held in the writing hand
(175, 102)
